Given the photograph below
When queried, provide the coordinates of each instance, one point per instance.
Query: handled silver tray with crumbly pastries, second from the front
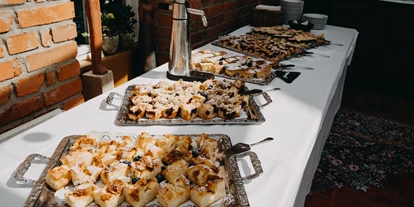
(175, 103)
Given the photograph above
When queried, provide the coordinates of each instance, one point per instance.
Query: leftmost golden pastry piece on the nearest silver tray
(58, 177)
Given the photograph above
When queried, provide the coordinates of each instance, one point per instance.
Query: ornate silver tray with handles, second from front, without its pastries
(250, 115)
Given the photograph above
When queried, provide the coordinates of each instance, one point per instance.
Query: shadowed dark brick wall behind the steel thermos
(224, 16)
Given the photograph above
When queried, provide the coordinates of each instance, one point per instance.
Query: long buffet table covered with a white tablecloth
(299, 119)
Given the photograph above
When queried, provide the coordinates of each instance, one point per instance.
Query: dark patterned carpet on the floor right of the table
(367, 161)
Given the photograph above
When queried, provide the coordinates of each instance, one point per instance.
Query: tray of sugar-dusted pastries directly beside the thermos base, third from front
(236, 67)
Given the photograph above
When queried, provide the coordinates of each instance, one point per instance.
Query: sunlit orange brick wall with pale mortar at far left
(38, 69)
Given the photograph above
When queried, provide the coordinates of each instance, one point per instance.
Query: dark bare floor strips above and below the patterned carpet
(398, 189)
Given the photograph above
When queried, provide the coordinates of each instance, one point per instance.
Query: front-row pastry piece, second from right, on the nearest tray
(174, 194)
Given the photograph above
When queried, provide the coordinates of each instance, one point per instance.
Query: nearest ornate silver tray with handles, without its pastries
(42, 195)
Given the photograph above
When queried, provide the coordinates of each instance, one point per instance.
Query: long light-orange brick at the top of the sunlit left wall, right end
(45, 14)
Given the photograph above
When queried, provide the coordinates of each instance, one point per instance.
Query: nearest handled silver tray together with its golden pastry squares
(106, 169)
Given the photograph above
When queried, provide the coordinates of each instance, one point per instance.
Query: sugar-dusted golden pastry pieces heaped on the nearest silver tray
(170, 169)
